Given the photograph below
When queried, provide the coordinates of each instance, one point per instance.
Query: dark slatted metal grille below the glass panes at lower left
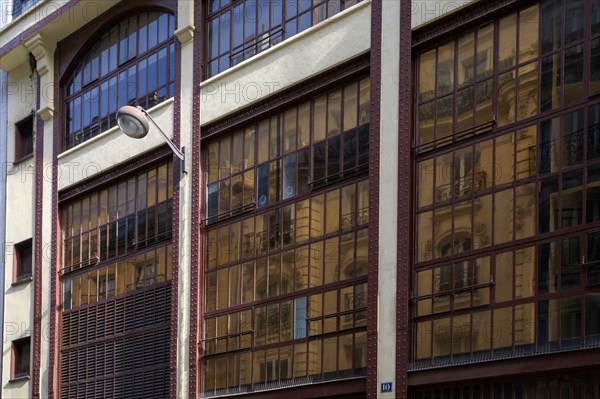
(118, 348)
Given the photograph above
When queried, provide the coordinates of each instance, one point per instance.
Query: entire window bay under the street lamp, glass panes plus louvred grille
(116, 287)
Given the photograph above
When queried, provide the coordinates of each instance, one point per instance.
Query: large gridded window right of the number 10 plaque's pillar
(492, 277)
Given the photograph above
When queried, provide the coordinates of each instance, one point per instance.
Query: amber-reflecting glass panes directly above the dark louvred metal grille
(118, 228)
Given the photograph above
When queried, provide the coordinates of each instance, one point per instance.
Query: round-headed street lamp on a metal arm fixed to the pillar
(133, 121)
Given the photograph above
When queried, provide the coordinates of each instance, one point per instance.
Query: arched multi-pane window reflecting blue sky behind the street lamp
(132, 63)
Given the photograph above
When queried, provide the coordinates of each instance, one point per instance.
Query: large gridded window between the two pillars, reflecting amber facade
(286, 274)
